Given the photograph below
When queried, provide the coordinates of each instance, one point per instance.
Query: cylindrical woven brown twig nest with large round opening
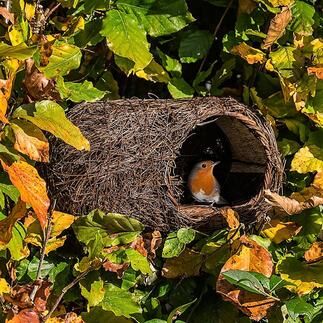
(142, 151)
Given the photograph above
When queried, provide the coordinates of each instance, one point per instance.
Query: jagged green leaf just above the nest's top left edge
(78, 92)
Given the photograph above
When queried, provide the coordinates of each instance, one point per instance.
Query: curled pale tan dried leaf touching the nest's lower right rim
(289, 205)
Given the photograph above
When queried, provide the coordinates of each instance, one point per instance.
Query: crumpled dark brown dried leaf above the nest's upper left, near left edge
(38, 86)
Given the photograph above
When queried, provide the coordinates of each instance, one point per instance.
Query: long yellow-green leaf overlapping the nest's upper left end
(50, 116)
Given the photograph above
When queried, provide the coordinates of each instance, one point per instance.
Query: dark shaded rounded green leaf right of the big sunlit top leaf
(194, 46)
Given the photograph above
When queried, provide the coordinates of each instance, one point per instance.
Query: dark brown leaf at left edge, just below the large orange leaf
(7, 224)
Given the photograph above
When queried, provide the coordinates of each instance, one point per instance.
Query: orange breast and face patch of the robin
(202, 179)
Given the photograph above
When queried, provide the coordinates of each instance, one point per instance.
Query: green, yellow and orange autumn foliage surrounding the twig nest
(108, 267)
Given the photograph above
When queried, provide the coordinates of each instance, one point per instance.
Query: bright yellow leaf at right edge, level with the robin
(308, 159)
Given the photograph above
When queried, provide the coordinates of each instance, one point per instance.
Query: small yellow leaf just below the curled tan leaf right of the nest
(278, 231)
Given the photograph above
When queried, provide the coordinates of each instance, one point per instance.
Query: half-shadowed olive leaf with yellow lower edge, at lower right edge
(305, 277)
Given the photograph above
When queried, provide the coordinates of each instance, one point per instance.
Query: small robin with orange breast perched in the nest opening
(203, 184)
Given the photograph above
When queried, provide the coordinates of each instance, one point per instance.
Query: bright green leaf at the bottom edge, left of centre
(120, 301)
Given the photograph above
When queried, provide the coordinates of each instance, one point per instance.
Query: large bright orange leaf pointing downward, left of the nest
(32, 188)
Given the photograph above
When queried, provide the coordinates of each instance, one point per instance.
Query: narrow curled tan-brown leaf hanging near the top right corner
(277, 27)
